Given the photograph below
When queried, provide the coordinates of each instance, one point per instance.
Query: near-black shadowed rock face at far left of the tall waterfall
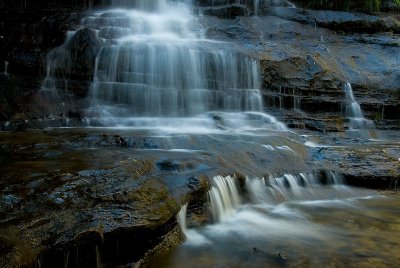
(26, 36)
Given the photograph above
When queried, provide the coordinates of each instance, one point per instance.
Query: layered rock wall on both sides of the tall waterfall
(304, 66)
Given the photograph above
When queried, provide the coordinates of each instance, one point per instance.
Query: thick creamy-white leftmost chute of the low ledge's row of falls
(224, 197)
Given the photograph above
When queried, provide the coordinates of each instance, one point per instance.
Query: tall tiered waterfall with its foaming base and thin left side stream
(156, 70)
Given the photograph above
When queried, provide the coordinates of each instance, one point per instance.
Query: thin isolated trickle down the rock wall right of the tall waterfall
(354, 112)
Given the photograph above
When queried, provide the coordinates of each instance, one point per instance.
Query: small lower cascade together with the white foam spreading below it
(270, 208)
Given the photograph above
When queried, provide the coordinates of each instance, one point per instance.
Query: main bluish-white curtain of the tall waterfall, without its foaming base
(155, 62)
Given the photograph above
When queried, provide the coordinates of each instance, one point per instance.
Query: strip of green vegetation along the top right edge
(369, 6)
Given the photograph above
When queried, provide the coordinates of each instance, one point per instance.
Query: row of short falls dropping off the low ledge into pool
(225, 197)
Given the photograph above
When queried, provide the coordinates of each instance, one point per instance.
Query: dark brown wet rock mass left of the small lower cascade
(81, 215)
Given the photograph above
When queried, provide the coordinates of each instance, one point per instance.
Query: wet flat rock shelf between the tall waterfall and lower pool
(81, 196)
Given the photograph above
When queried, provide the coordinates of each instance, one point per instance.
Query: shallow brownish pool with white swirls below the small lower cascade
(324, 226)
